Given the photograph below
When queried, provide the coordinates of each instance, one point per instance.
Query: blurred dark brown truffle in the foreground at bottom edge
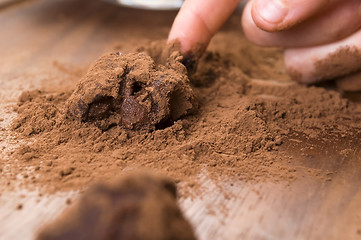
(138, 206)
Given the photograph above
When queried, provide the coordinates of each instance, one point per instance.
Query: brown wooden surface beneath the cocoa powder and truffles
(35, 41)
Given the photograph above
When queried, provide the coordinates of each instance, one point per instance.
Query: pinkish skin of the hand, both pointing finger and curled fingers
(309, 30)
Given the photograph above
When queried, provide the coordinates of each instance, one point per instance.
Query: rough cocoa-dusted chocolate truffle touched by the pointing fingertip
(130, 90)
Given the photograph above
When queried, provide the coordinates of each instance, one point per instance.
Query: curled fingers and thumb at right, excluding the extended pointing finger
(322, 38)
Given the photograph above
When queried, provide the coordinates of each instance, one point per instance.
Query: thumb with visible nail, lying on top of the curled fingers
(277, 15)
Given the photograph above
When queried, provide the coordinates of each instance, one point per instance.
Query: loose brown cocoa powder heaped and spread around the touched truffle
(236, 132)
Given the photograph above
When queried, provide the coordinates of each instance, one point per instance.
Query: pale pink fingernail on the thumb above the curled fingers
(272, 11)
